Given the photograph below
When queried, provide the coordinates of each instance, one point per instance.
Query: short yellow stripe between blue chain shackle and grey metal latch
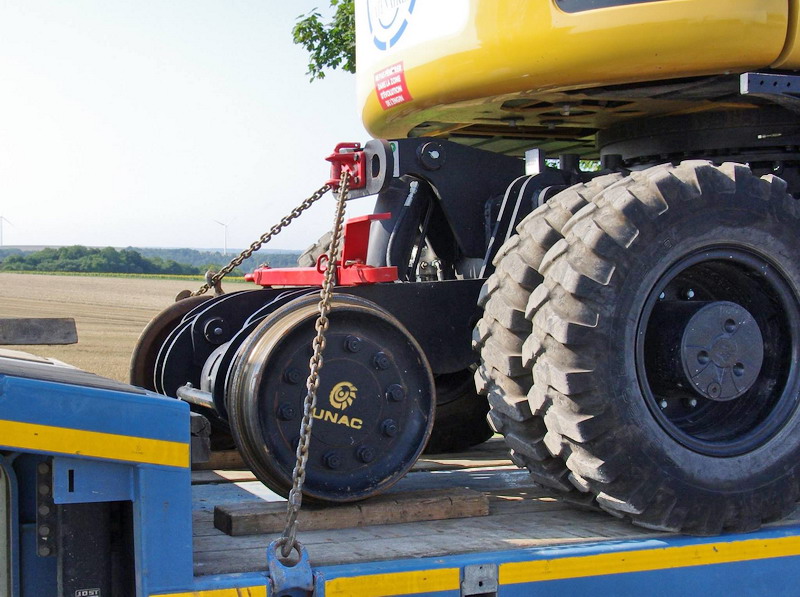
(396, 583)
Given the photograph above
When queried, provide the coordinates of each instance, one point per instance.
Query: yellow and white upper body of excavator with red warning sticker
(553, 70)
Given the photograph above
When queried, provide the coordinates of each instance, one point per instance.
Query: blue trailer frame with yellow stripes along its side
(110, 442)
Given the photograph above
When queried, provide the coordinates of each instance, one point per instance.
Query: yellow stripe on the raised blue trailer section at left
(78, 442)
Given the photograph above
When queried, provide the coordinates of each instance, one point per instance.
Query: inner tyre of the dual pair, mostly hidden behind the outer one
(503, 375)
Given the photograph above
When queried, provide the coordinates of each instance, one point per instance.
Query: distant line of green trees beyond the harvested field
(129, 261)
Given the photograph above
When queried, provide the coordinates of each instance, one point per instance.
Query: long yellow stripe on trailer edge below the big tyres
(647, 560)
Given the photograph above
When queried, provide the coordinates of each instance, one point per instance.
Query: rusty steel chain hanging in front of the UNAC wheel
(288, 540)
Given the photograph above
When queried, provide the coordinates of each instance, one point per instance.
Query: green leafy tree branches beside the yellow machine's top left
(330, 45)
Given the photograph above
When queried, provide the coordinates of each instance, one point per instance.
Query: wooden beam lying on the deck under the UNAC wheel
(253, 518)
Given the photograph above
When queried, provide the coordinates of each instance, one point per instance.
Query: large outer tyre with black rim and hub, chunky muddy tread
(670, 335)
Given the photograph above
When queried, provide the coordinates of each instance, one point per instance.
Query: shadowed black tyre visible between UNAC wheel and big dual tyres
(460, 420)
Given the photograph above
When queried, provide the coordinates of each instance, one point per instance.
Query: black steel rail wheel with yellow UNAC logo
(375, 401)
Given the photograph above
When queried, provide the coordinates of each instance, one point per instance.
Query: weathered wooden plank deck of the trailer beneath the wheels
(521, 514)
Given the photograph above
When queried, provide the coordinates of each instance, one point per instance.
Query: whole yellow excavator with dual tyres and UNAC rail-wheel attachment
(634, 325)
